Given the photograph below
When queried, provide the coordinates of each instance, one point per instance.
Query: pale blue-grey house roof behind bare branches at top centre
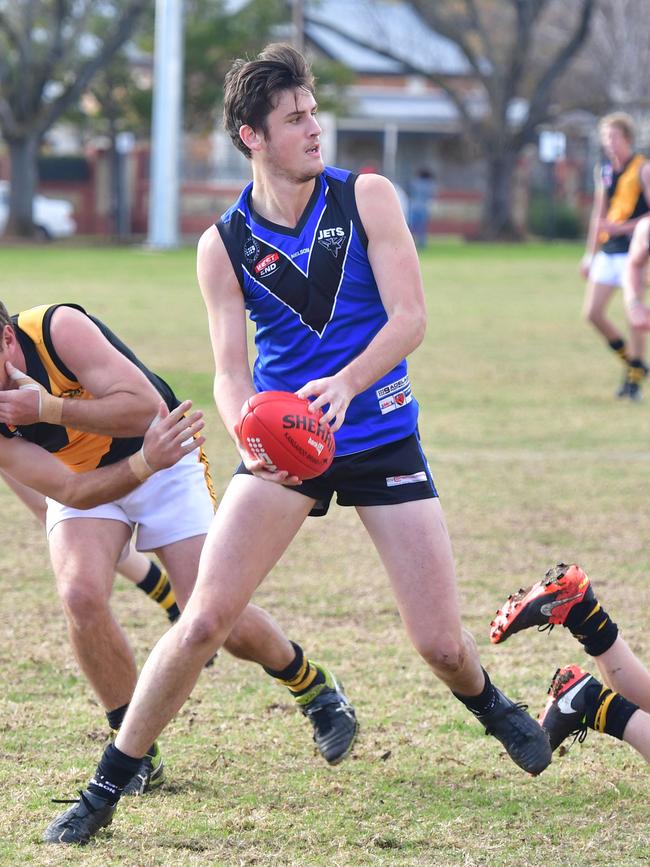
(391, 26)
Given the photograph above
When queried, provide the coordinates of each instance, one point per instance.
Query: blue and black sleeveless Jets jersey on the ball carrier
(313, 298)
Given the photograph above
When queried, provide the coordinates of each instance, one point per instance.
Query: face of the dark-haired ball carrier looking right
(292, 140)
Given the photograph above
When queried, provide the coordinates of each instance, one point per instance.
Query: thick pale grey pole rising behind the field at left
(166, 125)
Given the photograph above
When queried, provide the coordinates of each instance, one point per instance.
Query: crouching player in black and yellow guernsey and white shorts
(88, 400)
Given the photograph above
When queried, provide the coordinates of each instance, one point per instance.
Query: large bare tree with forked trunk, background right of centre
(498, 41)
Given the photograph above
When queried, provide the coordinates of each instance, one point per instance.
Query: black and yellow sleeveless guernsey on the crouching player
(79, 450)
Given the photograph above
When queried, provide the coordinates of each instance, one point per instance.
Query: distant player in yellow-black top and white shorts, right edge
(622, 195)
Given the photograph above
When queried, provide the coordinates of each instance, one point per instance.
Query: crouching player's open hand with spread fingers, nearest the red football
(172, 435)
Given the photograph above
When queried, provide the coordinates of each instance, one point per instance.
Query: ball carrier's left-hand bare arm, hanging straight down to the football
(224, 302)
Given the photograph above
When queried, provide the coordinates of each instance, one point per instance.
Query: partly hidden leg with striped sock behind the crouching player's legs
(144, 573)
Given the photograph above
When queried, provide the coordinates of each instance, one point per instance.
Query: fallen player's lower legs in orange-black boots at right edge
(619, 703)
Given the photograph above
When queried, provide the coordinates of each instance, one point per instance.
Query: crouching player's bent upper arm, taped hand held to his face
(124, 401)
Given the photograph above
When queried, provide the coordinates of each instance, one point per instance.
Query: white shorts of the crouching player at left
(171, 505)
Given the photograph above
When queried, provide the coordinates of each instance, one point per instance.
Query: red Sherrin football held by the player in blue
(277, 427)
